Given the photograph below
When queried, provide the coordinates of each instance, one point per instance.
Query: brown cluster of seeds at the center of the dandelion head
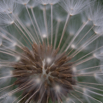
(45, 68)
